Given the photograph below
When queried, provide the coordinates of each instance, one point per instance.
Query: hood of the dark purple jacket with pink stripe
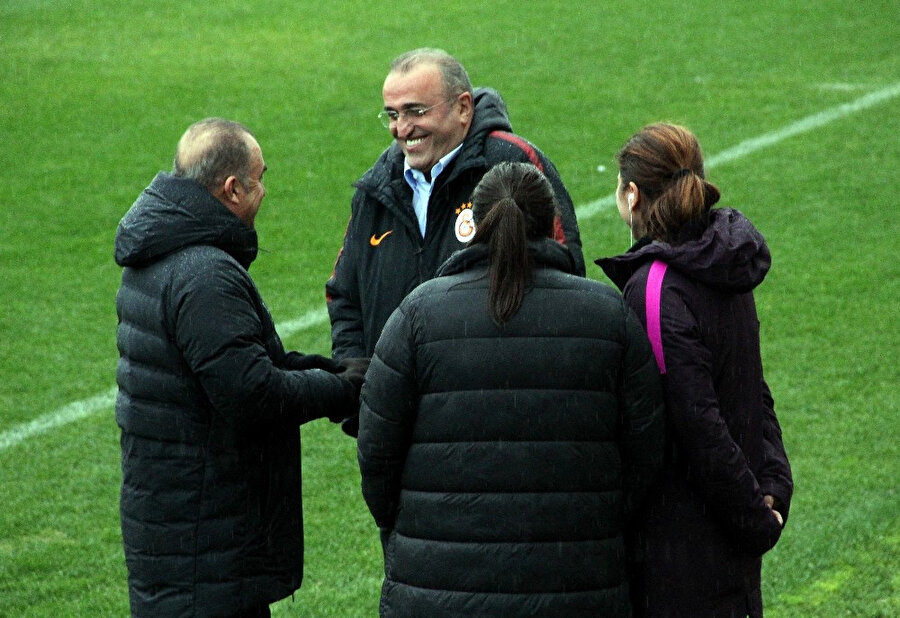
(727, 253)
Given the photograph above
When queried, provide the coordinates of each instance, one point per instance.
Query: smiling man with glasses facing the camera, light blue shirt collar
(412, 209)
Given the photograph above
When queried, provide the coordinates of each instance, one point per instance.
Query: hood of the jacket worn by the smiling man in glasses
(490, 115)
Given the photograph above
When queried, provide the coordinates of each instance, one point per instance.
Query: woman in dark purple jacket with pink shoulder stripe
(726, 489)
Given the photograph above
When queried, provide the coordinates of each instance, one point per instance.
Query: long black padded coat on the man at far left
(209, 412)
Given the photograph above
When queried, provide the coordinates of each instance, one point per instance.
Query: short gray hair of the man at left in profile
(211, 150)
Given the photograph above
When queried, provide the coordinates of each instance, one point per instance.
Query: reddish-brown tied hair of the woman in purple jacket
(665, 162)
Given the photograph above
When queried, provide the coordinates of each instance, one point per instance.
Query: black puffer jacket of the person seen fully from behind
(501, 462)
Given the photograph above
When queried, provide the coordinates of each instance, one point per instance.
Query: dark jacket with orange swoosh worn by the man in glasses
(384, 256)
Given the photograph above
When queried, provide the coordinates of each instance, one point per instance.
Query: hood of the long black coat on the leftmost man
(174, 213)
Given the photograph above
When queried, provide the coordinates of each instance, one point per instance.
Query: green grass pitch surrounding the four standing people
(95, 94)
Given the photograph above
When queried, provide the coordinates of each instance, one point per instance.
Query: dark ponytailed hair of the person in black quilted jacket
(513, 203)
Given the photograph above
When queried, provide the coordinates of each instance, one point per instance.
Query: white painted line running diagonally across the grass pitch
(315, 317)
